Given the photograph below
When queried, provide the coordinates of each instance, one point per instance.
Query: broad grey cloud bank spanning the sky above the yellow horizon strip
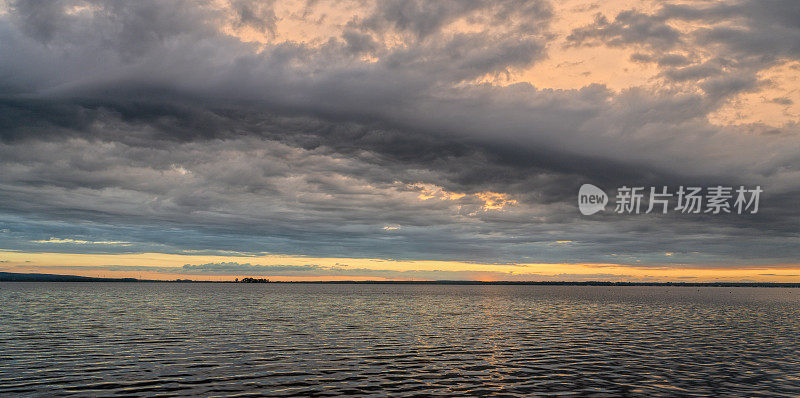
(144, 125)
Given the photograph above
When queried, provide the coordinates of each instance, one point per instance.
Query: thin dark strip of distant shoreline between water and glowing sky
(23, 277)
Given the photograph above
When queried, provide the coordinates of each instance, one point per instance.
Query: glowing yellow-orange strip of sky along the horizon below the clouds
(63, 263)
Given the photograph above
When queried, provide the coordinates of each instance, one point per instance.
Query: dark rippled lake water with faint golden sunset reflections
(313, 340)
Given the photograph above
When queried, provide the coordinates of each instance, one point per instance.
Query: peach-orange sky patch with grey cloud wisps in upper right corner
(742, 37)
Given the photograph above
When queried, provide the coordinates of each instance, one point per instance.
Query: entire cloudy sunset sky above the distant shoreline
(389, 139)
